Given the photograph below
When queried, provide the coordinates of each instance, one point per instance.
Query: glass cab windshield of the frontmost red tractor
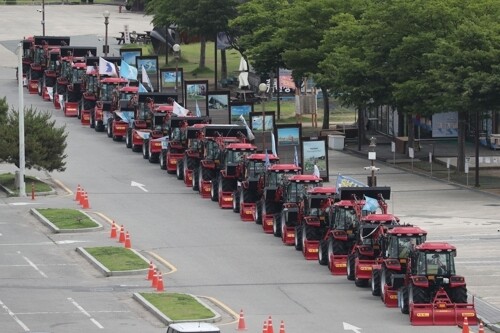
(435, 263)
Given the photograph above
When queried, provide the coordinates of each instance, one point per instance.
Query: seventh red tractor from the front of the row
(269, 191)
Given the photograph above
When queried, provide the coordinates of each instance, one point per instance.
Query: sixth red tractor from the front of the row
(294, 190)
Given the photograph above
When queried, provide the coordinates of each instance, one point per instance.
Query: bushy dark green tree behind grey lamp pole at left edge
(44, 142)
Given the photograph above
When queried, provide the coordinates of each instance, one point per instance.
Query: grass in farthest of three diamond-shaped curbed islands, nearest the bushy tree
(65, 218)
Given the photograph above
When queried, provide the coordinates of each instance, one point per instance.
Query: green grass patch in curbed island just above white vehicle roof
(178, 306)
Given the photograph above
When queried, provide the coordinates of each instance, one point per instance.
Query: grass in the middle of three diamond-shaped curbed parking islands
(117, 258)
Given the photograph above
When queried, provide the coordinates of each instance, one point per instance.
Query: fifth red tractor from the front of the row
(317, 205)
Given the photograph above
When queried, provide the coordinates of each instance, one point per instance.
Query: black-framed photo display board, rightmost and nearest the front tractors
(314, 151)
